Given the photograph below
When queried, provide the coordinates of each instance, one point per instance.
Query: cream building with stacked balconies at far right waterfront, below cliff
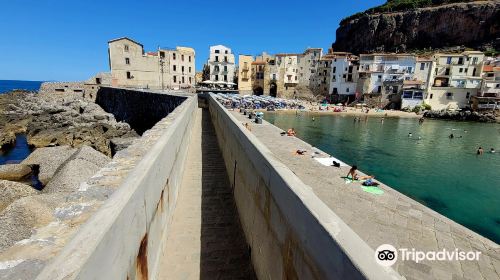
(454, 79)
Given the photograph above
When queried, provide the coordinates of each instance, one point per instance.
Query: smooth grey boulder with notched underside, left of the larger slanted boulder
(49, 160)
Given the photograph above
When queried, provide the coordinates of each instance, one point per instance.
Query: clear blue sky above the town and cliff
(67, 39)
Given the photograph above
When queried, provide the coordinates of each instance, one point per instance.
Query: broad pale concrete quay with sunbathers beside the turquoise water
(391, 218)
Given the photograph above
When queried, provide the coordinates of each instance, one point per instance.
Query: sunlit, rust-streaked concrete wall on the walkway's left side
(125, 237)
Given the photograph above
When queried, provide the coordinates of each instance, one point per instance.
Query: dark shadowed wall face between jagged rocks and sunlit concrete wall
(141, 110)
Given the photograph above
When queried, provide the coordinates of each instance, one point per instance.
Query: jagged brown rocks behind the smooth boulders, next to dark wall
(56, 119)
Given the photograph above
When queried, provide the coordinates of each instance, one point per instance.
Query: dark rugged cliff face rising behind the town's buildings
(462, 24)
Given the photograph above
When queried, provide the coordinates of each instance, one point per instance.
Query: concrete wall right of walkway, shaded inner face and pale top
(291, 232)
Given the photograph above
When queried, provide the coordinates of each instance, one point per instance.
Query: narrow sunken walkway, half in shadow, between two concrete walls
(205, 238)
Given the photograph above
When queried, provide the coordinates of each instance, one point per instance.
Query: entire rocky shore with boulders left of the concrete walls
(73, 138)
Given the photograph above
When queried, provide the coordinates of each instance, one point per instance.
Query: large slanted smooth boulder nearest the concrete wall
(78, 169)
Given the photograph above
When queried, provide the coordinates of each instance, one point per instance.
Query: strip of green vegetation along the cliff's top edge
(403, 5)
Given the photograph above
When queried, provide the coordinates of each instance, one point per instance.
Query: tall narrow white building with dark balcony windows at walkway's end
(221, 64)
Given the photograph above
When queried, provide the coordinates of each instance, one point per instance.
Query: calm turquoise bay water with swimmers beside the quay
(444, 174)
